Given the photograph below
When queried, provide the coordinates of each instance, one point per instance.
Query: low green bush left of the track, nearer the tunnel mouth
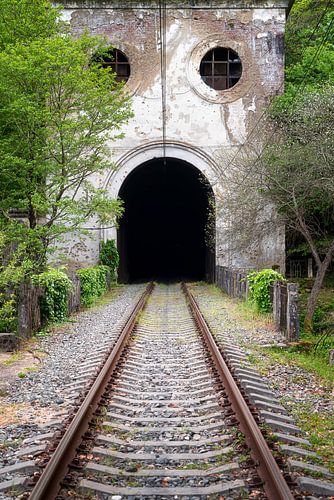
(93, 283)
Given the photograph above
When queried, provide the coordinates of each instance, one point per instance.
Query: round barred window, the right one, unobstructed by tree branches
(221, 68)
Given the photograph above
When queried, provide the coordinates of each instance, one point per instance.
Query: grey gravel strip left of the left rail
(41, 399)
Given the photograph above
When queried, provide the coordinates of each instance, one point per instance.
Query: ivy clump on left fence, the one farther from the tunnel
(57, 288)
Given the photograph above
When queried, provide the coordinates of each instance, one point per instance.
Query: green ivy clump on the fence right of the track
(259, 287)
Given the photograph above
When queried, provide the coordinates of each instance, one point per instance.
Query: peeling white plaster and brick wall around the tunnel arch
(197, 116)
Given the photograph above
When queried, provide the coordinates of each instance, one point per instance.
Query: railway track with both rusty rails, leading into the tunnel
(164, 418)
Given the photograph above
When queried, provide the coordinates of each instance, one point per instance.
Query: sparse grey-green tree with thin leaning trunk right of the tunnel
(294, 174)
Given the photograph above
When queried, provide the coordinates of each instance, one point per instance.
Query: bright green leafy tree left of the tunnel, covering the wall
(59, 110)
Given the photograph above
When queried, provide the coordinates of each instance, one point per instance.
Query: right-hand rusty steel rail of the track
(274, 483)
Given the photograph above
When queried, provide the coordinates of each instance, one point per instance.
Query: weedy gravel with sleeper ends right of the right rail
(285, 388)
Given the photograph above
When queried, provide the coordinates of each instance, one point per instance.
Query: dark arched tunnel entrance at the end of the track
(162, 235)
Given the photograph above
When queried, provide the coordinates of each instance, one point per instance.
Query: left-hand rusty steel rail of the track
(49, 483)
